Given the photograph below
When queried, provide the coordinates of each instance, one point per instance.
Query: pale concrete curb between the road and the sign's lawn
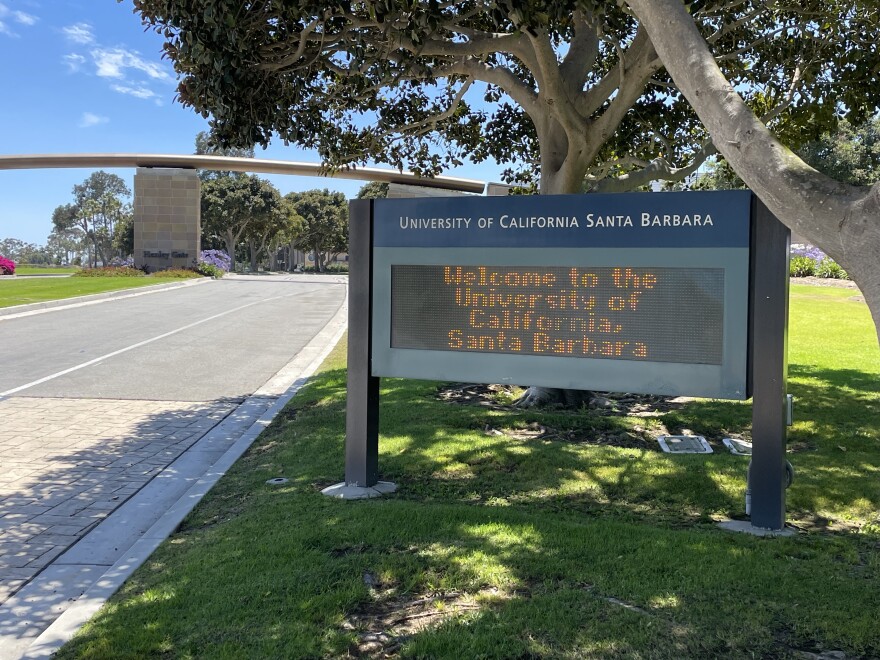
(304, 364)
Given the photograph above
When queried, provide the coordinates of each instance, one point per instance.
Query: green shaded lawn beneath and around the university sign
(530, 534)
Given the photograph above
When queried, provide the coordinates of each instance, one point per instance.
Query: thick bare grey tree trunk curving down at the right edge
(836, 217)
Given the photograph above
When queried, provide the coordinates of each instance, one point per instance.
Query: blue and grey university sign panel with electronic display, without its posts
(644, 292)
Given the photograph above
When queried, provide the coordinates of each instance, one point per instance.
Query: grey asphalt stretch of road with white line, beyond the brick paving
(219, 340)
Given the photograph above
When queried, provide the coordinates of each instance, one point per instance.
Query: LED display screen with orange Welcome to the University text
(613, 313)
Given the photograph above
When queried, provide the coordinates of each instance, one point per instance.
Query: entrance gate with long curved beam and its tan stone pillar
(166, 192)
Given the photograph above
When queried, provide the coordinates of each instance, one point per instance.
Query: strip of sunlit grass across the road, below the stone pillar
(26, 291)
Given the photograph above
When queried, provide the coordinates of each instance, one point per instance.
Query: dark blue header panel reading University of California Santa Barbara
(642, 220)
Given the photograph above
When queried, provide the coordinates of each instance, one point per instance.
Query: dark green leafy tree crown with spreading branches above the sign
(560, 90)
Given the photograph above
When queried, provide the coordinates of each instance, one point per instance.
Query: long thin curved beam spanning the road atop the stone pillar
(233, 164)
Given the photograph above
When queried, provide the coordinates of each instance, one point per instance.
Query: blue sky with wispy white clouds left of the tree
(84, 77)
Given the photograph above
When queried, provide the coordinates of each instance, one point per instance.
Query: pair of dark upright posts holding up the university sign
(765, 371)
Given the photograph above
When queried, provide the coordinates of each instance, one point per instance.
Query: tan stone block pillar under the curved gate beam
(167, 218)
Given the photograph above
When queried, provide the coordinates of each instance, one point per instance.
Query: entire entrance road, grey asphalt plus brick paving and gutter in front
(97, 401)
